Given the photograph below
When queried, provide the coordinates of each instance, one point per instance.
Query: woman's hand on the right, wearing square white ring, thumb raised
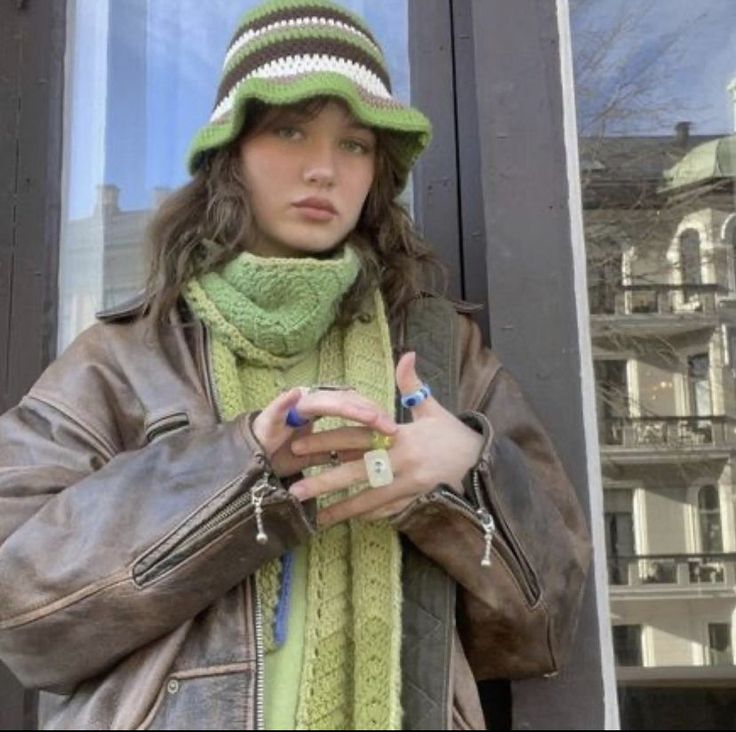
(434, 448)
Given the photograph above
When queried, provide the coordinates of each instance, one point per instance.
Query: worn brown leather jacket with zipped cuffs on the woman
(127, 541)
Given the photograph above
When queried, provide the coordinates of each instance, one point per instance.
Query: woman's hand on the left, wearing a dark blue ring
(276, 436)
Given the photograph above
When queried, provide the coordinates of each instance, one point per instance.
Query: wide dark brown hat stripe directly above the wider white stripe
(279, 49)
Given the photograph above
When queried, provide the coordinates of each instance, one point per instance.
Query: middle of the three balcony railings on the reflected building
(672, 432)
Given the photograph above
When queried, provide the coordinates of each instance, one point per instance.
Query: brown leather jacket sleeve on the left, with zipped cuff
(103, 551)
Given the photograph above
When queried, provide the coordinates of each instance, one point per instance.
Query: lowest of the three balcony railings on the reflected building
(673, 569)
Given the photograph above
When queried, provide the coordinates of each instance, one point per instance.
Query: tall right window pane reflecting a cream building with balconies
(656, 104)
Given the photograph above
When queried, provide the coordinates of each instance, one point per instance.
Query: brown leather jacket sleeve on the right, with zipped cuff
(517, 616)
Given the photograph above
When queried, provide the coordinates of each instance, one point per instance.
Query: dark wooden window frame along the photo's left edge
(32, 47)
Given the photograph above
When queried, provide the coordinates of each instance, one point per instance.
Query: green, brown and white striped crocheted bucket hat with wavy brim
(286, 51)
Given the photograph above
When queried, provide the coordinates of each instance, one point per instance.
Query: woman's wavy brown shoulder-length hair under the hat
(207, 222)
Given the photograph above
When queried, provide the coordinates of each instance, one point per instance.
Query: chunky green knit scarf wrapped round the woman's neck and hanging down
(266, 314)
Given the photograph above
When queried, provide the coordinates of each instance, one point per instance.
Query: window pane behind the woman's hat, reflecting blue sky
(142, 77)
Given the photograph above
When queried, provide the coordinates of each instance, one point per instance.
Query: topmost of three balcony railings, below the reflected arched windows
(658, 299)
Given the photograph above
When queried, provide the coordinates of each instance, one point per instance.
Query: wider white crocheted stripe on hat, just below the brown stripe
(296, 65)
